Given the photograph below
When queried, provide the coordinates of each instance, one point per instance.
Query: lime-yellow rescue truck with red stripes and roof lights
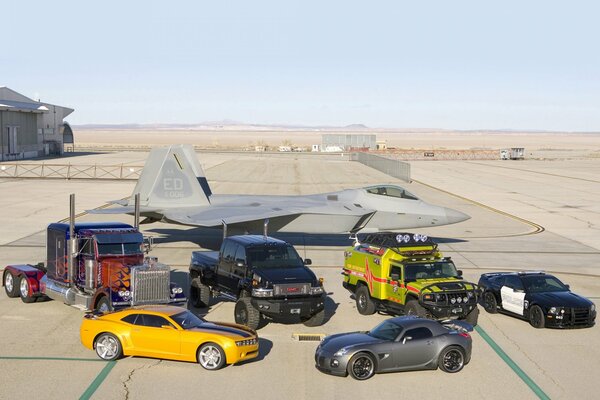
(404, 273)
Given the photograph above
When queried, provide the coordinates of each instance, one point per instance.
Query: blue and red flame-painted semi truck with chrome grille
(94, 266)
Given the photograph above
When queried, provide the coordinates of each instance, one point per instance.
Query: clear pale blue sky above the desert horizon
(407, 64)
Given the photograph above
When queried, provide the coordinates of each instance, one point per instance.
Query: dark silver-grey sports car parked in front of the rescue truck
(397, 344)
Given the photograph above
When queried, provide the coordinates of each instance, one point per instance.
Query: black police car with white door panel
(540, 298)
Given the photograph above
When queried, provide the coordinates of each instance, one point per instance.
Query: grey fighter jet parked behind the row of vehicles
(173, 188)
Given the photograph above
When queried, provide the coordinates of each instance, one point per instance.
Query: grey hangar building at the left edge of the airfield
(30, 128)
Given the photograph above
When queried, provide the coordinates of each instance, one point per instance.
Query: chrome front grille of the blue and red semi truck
(150, 284)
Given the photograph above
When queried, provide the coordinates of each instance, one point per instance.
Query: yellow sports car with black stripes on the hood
(168, 332)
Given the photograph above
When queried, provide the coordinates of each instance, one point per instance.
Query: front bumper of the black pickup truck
(290, 306)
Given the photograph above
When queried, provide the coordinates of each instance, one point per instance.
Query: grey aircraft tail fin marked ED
(172, 177)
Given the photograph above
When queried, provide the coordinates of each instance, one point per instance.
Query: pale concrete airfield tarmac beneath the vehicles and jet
(525, 215)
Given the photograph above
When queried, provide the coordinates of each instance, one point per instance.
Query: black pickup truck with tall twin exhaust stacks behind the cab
(263, 275)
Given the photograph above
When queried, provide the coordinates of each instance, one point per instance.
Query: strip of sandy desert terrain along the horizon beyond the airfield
(554, 145)
